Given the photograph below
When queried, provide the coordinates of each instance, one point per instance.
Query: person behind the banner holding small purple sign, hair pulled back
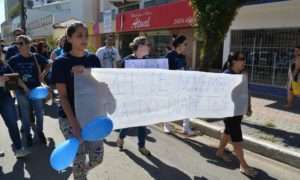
(141, 49)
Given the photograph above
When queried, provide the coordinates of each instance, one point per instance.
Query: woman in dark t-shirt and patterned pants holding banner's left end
(75, 60)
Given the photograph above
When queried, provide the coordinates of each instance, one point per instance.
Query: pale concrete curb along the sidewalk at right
(255, 145)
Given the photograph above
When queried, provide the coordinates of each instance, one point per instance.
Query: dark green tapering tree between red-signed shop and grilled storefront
(213, 19)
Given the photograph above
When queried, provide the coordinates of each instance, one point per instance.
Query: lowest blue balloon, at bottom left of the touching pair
(64, 154)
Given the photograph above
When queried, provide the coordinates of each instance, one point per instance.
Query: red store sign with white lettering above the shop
(180, 14)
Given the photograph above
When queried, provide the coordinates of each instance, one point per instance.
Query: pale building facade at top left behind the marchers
(43, 14)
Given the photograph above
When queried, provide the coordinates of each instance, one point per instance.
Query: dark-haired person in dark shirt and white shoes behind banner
(177, 61)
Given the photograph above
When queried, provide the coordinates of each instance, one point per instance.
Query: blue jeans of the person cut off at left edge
(9, 115)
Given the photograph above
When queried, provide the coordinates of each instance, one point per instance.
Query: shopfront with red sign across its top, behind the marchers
(159, 27)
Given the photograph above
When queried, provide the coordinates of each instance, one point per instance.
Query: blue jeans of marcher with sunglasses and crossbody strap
(26, 105)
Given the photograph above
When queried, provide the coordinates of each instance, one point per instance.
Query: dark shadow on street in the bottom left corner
(37, 165)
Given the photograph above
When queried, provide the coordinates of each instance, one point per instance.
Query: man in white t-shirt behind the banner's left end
(108, 55)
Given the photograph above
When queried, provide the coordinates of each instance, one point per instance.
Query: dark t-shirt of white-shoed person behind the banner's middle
(176, 61)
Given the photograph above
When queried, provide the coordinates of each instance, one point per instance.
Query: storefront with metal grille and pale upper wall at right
(267, 34)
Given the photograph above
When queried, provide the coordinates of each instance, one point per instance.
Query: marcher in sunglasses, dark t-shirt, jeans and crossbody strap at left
(32, 69)
